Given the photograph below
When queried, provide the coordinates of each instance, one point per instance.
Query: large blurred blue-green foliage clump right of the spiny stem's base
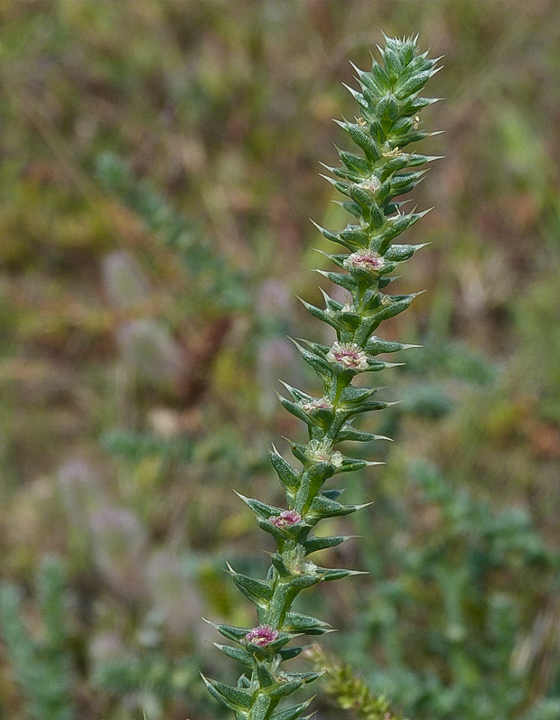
(456, 608)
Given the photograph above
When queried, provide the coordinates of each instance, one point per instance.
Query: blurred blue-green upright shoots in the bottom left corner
(43, 666)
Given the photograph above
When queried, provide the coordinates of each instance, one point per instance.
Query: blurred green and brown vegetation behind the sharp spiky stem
(159, 162)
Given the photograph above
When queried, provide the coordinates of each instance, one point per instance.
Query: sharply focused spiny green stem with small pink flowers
(371, 180)
